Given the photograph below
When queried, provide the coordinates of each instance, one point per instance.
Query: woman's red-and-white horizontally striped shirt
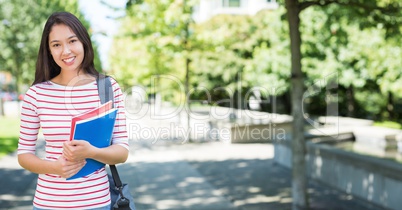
(50, 107)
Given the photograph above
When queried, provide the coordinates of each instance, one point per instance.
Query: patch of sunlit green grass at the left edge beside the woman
(9, 134)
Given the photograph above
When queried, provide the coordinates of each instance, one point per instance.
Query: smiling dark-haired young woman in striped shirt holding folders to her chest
(64, 86)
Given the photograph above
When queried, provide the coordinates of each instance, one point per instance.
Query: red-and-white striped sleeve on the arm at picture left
(29, 124)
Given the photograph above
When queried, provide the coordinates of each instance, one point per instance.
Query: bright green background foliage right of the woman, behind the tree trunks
(352, 45)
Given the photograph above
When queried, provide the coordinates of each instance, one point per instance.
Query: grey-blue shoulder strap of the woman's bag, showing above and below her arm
(105, 90)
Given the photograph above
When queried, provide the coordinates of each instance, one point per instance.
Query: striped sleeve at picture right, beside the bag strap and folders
(120, 136)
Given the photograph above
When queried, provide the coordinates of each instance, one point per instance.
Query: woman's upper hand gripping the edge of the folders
(77, 150)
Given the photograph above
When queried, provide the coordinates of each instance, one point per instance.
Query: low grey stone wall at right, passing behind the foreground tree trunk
(374, 179)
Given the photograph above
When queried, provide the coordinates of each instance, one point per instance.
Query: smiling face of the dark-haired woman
(66, 49)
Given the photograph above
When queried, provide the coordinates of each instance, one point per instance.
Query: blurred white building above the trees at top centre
(209, 8)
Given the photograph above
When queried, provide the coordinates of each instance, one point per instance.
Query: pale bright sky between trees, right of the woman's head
(103, 26)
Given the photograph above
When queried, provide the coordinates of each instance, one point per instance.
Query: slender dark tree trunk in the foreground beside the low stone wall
(299, 176)
